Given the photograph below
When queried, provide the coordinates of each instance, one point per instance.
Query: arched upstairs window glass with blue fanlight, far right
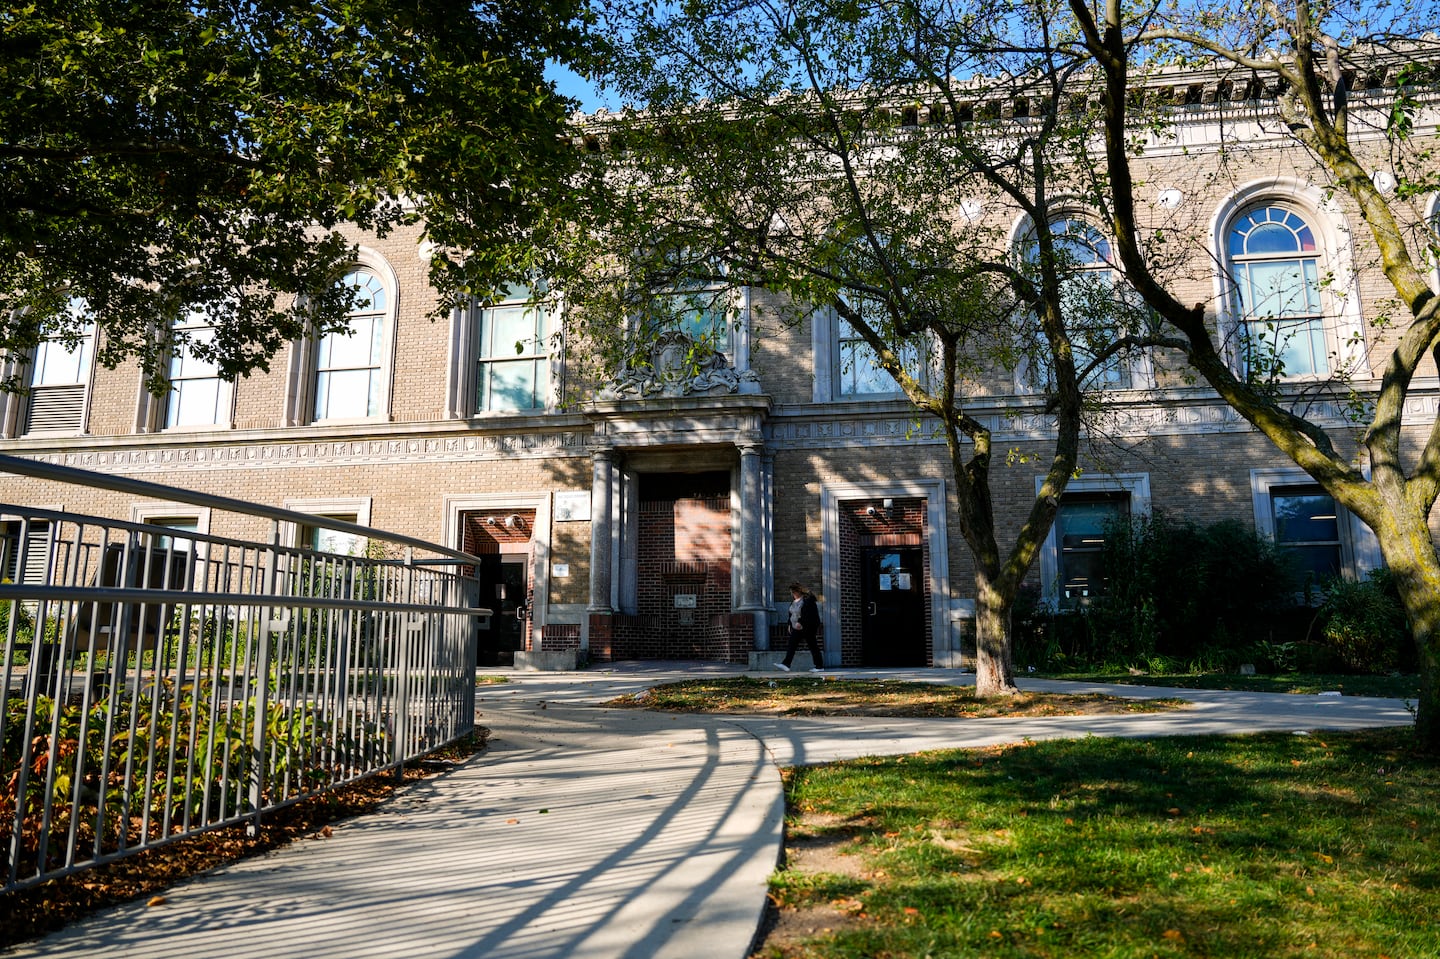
(1277, 276)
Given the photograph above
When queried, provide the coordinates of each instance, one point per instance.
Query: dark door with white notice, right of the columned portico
(892, 607)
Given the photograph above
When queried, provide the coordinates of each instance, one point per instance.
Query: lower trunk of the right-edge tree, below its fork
(1405, 541)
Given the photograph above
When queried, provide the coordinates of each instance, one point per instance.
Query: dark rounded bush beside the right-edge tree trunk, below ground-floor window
(1364, 624)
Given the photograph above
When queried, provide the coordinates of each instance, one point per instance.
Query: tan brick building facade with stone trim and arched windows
(667, 525)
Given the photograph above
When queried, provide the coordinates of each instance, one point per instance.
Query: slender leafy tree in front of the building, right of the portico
(826, 152)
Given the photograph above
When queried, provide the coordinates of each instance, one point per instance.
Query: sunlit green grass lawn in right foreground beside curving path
(1268, 846)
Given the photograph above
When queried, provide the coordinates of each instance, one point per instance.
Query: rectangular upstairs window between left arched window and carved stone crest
(515, 368)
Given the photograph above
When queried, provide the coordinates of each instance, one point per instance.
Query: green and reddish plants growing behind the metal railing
(153, 765)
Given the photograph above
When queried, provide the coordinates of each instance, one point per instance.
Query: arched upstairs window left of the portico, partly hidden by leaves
(349, 375)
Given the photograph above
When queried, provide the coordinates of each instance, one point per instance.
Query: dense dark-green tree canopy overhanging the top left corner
(161, 158)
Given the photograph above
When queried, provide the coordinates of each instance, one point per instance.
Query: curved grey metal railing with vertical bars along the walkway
(163, 682)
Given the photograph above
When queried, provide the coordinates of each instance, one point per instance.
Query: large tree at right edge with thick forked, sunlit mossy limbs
(1317, 58)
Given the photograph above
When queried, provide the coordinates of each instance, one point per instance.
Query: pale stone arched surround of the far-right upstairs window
(1340, 299)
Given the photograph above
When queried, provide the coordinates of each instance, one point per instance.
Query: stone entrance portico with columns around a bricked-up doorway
(667, 580)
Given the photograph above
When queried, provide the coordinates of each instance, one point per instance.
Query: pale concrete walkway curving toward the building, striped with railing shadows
(587, 833)
